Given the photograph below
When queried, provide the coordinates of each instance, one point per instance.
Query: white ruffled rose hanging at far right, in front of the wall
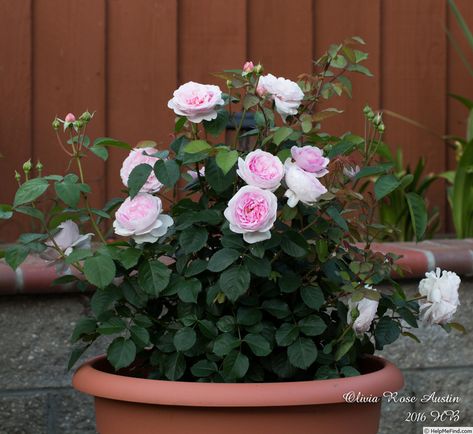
(441, 290)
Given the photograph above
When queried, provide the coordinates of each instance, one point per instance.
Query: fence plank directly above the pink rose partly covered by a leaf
(142, 71)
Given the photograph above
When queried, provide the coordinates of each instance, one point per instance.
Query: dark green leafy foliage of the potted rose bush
(199, 302)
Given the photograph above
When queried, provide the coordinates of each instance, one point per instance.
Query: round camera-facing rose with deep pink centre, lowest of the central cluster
(252, 212)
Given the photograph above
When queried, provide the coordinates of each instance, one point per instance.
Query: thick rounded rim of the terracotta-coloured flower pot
(90, 380)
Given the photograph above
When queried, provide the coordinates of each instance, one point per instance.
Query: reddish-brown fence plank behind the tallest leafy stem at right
(335, 20)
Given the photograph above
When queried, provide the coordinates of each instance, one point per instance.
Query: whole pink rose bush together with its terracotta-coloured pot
(250, 304)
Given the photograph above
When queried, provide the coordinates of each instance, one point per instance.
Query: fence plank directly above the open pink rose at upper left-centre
(212, 37)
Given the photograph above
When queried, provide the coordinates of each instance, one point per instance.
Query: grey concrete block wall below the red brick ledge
(36, 397)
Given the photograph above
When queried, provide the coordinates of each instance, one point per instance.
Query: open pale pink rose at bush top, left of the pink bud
(196, 101)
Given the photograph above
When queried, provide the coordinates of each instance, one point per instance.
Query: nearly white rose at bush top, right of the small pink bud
(287, 95)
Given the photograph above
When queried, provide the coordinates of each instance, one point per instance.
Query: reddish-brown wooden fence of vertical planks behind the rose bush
(124, 58)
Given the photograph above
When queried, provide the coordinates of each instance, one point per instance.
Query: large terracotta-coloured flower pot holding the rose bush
(126, 405)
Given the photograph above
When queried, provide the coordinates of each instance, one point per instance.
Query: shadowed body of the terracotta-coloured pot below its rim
(113, 417)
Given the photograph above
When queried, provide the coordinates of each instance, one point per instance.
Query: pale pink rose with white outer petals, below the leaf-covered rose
(141, 219)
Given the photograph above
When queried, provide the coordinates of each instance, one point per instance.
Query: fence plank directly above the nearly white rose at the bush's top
(272, 40)
